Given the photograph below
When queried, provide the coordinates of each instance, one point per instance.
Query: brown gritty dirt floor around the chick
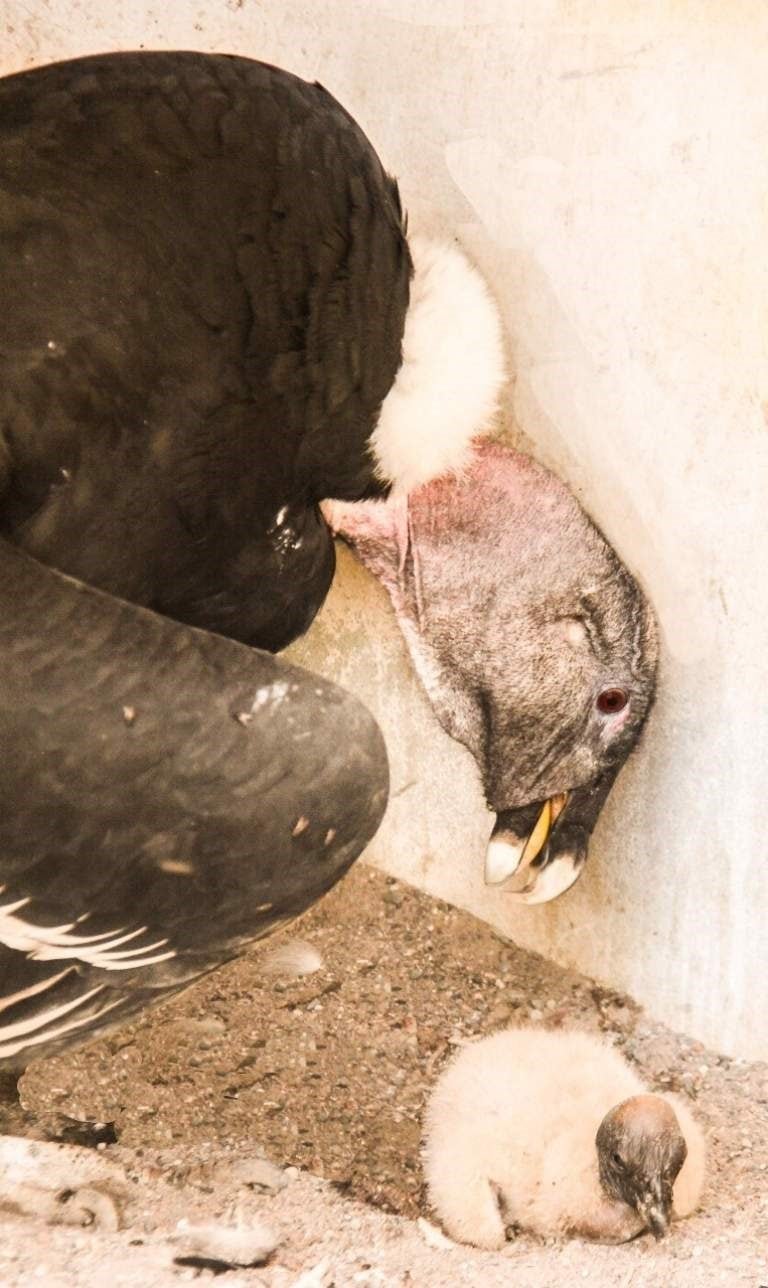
(328, 1076)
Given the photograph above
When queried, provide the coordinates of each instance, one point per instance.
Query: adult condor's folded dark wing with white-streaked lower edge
(167, 797)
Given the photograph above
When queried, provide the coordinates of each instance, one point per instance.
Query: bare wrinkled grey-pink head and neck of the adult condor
(519, 616)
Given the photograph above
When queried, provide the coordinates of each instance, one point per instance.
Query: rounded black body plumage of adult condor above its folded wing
(209, 279)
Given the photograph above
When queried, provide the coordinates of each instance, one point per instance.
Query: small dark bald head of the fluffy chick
(641, 1152)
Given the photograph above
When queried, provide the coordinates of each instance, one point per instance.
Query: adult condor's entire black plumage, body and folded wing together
(206, 283)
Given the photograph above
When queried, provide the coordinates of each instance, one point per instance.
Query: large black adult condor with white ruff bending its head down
(217, 346)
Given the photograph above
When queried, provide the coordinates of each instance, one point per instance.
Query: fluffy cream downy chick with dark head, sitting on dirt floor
(553, 1133)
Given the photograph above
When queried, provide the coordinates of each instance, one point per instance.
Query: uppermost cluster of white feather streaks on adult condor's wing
(60, 943)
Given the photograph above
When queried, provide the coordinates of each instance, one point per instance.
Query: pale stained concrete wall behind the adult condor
(608, 166)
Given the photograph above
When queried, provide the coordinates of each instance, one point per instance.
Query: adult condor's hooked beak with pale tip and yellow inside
(524, 860)
